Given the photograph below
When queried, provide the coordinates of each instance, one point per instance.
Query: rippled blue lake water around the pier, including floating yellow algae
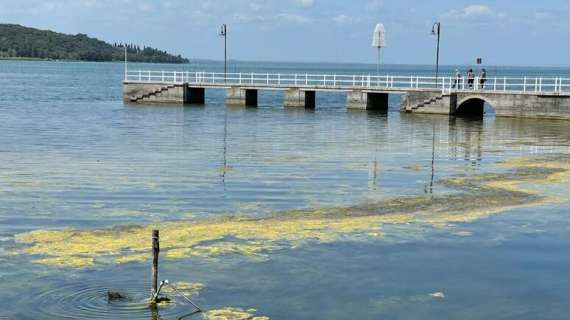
(324, 214)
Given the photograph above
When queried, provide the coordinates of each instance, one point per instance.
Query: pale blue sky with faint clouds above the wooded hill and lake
(503, 32)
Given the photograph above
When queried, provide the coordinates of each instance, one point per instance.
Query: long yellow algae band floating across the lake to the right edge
(479, 197)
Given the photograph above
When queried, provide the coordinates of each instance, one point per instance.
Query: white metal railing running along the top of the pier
(344, 81)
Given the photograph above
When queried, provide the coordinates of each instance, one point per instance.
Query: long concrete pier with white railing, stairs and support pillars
(547, 97)
